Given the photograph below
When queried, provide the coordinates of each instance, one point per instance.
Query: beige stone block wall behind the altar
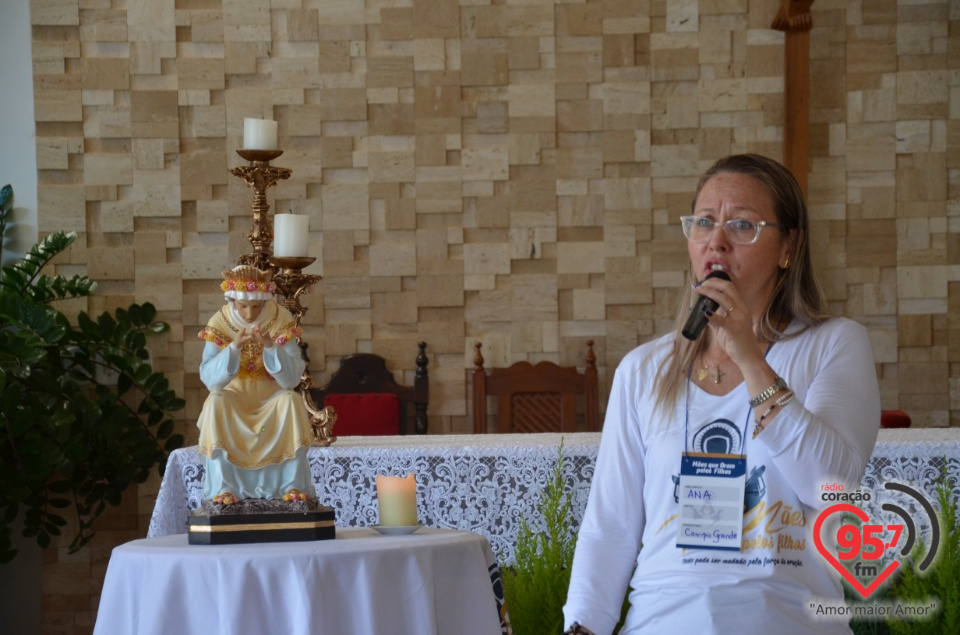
(488, 170)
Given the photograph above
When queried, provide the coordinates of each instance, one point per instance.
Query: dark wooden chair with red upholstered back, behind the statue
(368, 400)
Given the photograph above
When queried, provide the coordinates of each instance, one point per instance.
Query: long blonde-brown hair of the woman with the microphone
(797, 296)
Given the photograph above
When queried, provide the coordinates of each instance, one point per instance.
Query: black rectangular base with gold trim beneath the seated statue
(260, 520)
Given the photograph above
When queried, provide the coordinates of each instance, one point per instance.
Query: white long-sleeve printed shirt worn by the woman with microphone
(825, 435)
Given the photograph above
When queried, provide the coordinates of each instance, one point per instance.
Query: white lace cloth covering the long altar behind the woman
(490, 483)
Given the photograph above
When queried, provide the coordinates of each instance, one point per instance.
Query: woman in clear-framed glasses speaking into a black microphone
(719, 435)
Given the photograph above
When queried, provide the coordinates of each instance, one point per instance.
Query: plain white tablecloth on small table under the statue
(432, 581)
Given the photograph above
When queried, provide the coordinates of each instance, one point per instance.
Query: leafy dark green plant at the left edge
(82, 413)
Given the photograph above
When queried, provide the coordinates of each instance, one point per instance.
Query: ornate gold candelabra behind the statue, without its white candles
(288, 273)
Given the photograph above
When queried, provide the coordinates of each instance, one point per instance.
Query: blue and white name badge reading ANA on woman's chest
(711, 501)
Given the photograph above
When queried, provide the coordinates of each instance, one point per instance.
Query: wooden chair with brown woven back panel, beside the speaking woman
(541, 398)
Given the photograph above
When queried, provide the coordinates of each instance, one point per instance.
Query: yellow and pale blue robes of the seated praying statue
(254, 428)
